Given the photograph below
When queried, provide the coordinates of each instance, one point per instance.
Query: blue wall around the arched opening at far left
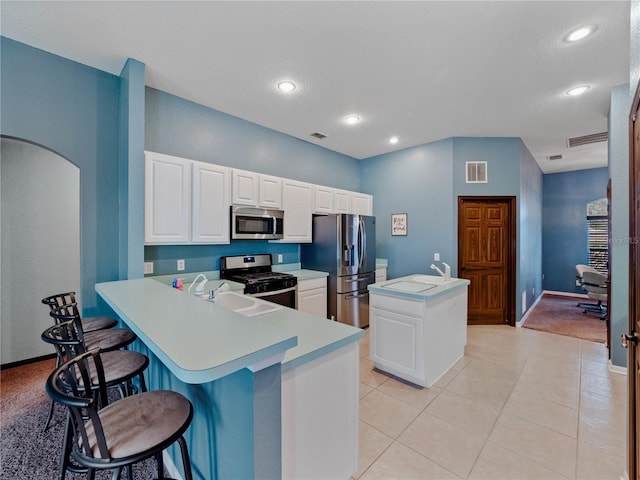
(72, 110)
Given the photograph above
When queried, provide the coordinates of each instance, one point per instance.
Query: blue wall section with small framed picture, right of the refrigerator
(416, 181)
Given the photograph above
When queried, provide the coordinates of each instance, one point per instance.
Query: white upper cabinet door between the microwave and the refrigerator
(297, 203)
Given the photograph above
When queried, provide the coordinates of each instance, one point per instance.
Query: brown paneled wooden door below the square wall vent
(486, 236)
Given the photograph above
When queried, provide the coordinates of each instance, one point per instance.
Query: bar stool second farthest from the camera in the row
(107, 339)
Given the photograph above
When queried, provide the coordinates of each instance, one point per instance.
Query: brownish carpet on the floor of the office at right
(558, 314)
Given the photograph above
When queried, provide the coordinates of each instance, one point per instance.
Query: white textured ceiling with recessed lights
(421, 70)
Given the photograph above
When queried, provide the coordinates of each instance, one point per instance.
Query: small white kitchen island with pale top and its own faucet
(418, 326)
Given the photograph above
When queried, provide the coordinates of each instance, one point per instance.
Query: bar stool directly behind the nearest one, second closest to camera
(120, 368)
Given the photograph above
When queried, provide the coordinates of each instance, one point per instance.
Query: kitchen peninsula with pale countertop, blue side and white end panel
(264, 388)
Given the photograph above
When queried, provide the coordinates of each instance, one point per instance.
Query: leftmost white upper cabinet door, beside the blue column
(167, 188)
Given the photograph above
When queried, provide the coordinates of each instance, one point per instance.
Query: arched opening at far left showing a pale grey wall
(39, 242)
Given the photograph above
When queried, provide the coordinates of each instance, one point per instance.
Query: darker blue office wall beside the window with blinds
(566, 196)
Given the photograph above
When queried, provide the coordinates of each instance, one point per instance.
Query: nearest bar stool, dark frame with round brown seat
(124, 432)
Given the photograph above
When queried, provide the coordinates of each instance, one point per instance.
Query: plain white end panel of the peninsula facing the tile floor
(320, 417)
